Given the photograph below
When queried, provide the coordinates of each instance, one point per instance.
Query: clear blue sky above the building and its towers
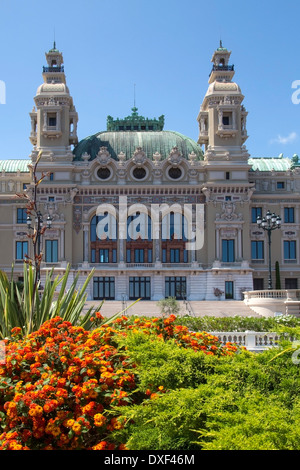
(162, 46)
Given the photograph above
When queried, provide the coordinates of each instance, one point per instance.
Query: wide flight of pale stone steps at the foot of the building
(217, 308)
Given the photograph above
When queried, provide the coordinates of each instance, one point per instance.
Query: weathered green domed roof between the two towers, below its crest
(128, 141)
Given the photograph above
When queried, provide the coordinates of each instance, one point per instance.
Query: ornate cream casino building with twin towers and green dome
(137, 165)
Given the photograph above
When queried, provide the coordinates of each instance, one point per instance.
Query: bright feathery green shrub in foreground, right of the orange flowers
(246, 401)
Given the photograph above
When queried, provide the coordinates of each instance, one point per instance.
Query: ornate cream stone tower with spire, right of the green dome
(222, 116)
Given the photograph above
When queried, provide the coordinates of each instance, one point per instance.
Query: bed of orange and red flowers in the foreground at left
(61, 386)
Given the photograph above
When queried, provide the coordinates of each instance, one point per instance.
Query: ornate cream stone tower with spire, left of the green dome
(54, 117)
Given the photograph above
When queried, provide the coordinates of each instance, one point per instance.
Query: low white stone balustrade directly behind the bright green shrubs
(251, 340)
